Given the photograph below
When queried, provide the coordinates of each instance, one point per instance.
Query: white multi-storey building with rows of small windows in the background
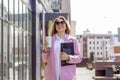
(99, 44)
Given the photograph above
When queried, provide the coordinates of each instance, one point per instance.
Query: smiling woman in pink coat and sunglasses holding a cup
(60, 33)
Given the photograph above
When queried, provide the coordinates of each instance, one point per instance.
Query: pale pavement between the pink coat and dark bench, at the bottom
(84, 74)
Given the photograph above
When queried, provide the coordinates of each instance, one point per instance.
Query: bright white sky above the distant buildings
(98, 16)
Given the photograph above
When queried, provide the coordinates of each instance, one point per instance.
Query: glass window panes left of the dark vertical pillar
(15, 40)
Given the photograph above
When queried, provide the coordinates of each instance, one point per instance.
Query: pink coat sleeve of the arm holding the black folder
(76, 58)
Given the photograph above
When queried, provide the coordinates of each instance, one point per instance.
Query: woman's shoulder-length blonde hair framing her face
(53, 29)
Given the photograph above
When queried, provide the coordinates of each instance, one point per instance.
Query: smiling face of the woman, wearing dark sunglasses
(60, 25)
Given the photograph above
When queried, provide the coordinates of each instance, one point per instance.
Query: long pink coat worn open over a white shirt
(67, 72)
